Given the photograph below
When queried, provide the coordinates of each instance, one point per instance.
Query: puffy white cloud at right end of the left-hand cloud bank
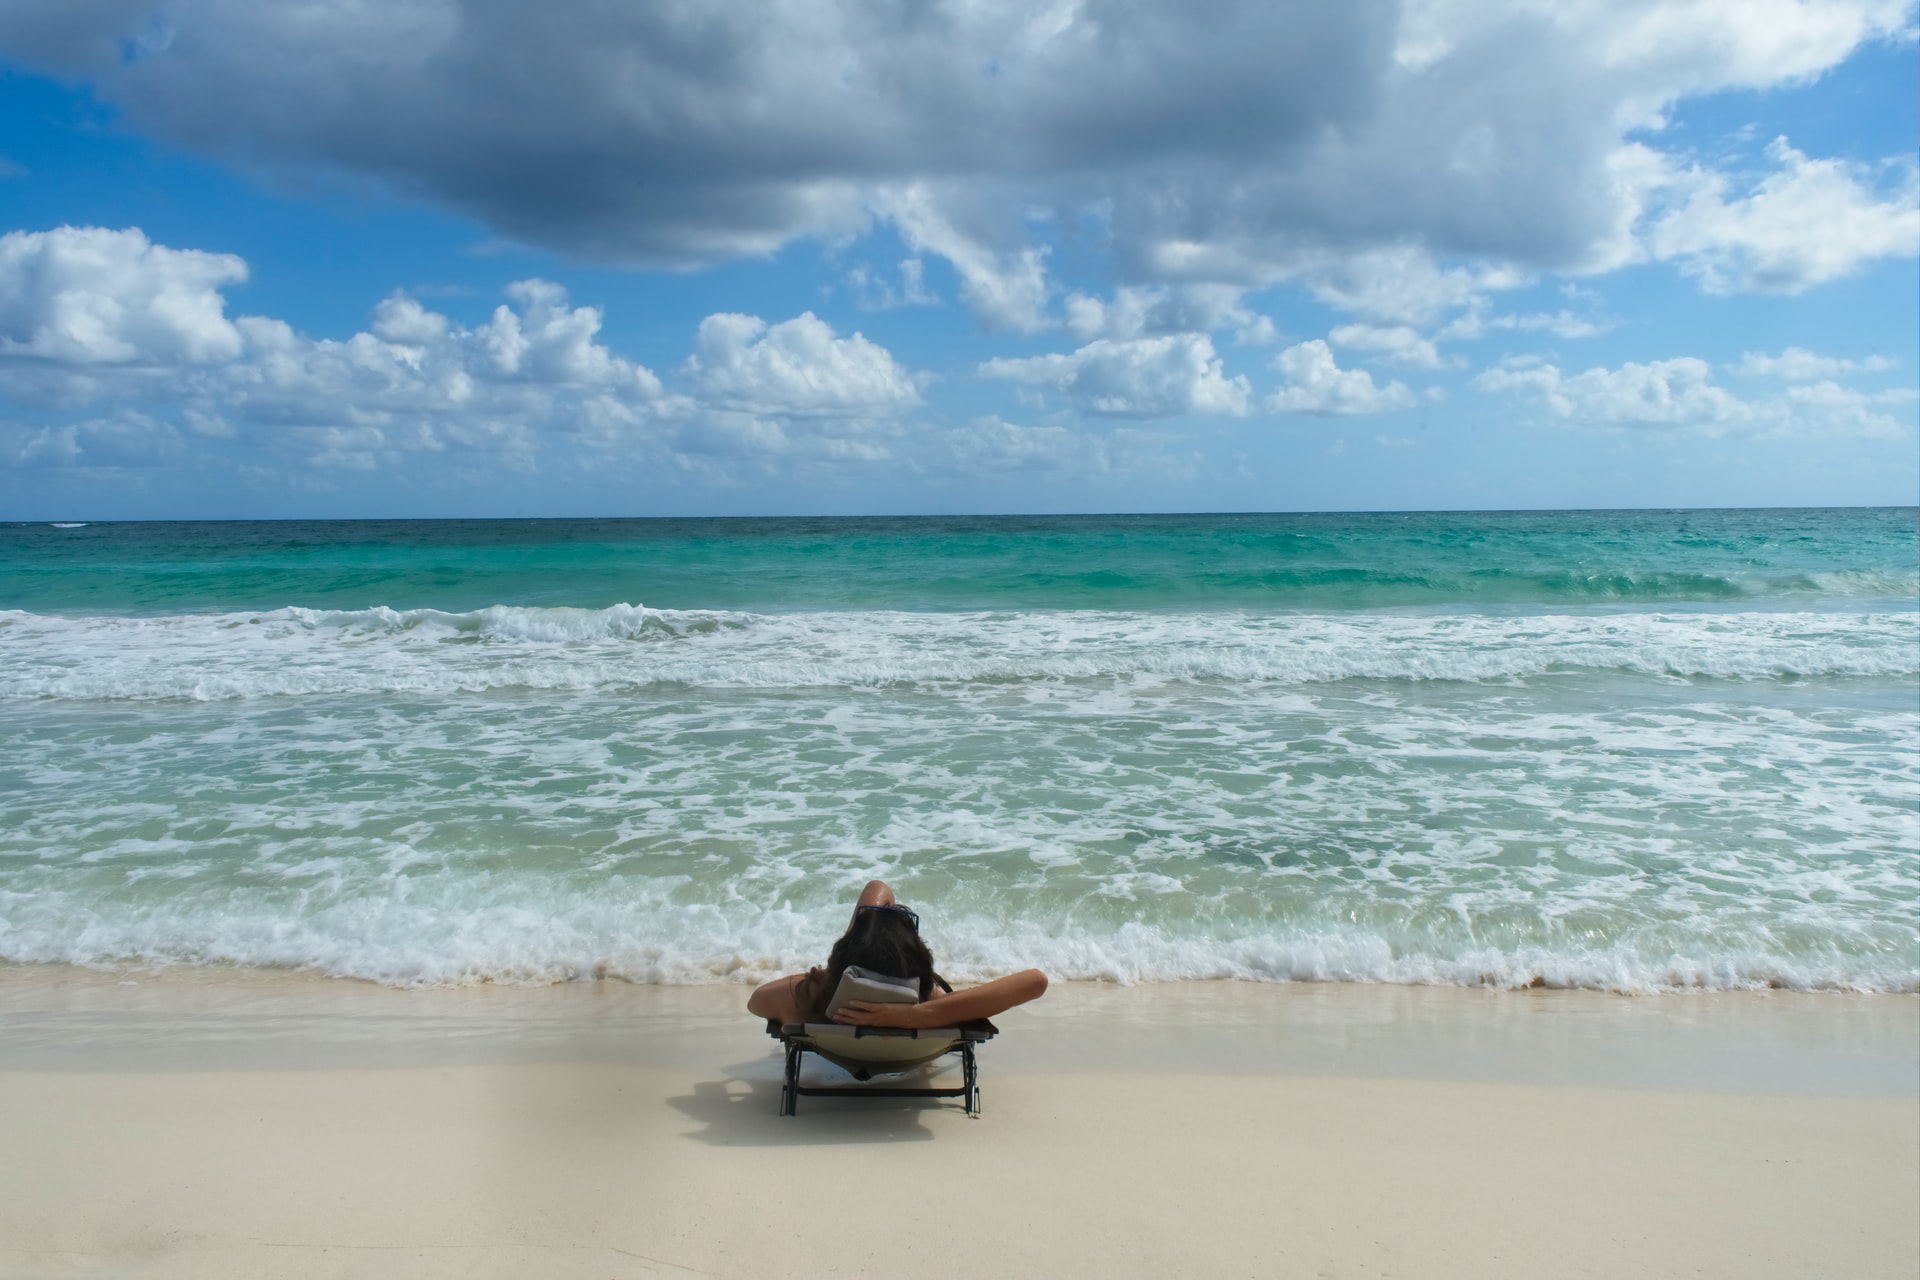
(798, 367)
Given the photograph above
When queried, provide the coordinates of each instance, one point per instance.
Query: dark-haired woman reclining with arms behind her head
(884, 937)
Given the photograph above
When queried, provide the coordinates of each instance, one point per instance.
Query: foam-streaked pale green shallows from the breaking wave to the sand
(1128, 797)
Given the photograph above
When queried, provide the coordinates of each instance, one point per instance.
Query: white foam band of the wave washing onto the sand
(433, 945)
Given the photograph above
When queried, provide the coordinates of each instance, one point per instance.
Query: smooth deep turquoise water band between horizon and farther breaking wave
(1259, 561)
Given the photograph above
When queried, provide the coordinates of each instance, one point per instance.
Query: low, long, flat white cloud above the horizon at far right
(1681, 394)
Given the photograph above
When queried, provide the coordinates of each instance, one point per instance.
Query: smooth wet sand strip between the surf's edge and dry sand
(70, 1018)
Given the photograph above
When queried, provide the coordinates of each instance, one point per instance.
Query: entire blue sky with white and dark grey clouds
(460, 258)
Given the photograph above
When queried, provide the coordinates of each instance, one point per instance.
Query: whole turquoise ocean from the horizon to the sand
(1629, 751)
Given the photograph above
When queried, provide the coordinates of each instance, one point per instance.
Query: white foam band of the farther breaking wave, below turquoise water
(300, 652)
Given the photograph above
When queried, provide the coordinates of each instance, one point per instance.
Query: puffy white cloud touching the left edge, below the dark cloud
(93, 296)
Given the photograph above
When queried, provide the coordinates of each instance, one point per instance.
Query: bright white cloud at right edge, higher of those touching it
(1802, 225)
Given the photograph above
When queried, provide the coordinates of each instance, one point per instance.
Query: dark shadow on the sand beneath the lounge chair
(744, 1110)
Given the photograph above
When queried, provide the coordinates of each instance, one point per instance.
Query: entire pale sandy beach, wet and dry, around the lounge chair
(229, 1126)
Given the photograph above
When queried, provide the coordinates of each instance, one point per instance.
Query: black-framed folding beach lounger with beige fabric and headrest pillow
(867, 1053)
